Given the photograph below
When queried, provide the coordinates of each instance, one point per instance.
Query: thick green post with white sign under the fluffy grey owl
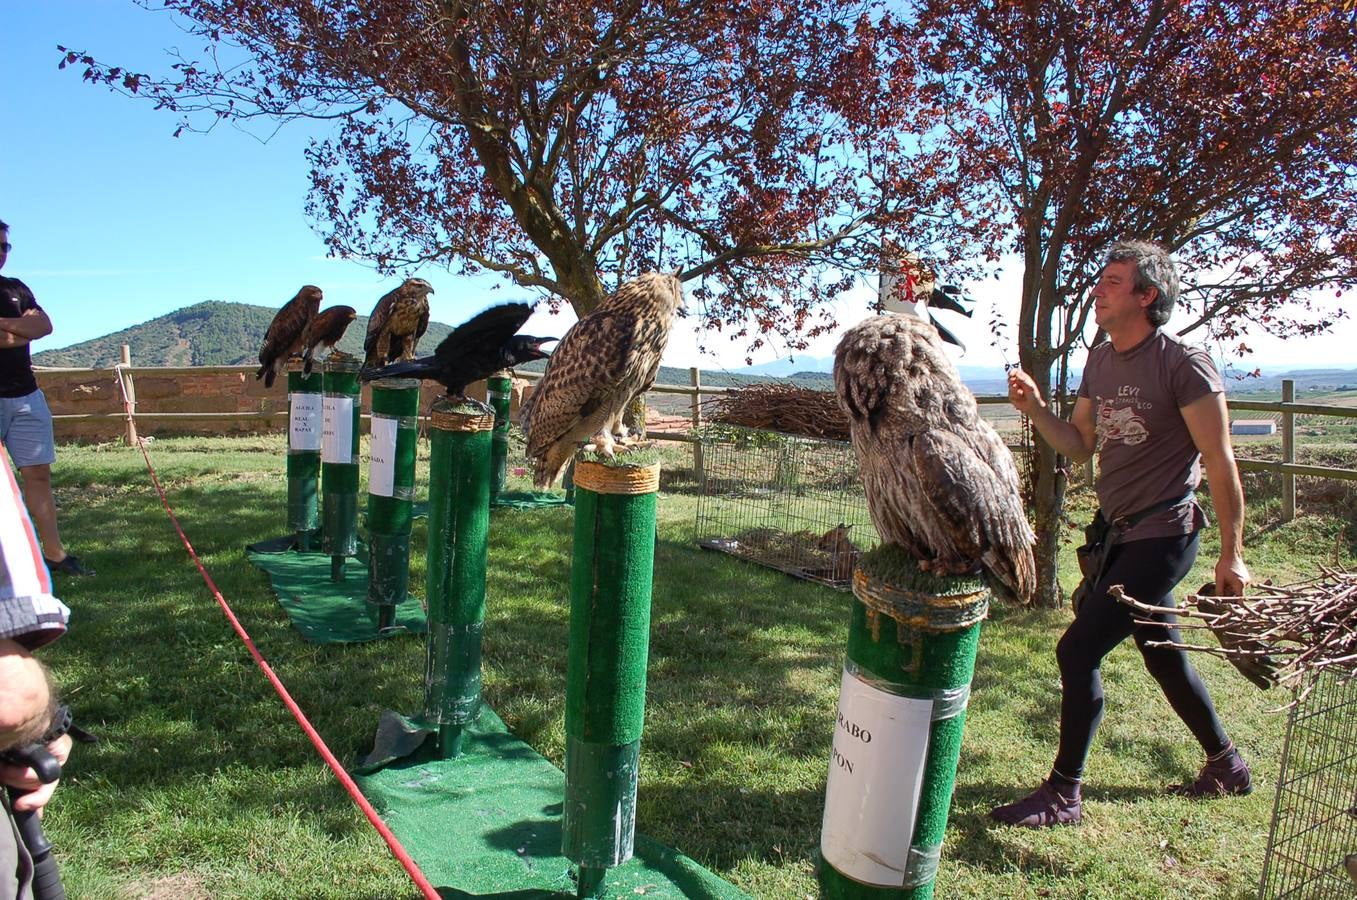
(898, 736)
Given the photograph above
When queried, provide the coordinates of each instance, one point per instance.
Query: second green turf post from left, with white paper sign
(340, 461)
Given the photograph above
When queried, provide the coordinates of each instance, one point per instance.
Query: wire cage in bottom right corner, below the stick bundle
(1314, 826)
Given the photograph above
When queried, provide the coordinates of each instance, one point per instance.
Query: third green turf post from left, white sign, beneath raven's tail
(391, 493)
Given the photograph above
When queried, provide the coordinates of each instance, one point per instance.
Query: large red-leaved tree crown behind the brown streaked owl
(573, 145)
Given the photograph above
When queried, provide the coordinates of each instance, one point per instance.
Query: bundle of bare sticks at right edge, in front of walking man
(1278, 635)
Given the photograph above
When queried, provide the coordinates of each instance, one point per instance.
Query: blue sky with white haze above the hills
(116, 222)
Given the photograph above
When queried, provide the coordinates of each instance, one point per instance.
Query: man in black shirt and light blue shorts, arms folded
(25, 419)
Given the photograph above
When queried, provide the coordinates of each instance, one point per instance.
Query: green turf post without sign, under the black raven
(459, 529)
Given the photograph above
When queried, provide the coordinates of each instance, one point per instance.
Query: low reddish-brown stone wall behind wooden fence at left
(216, 390)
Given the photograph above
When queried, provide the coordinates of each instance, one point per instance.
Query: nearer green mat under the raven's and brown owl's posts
(488, 825)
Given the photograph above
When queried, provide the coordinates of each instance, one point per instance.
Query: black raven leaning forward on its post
(476, 350)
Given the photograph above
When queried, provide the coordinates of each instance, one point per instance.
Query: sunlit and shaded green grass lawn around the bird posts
(204, 787)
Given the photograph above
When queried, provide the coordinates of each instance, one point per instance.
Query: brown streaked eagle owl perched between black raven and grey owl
(605, 362)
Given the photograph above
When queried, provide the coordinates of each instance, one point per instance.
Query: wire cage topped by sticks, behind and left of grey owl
(789, 503)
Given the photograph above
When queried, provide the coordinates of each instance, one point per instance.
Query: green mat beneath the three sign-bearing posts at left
(322, 610)
